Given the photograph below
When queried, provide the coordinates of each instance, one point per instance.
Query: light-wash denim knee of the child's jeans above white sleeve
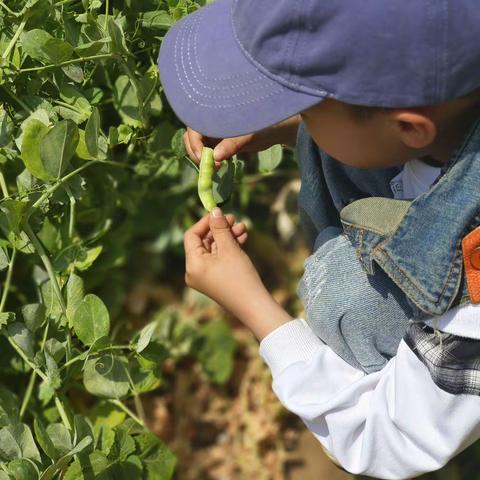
(361, 317)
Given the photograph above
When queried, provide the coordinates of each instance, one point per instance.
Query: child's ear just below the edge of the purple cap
(415, 129)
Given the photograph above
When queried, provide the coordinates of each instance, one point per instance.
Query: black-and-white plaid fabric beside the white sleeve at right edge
(453, 361)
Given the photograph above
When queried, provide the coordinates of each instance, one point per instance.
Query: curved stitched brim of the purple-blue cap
(211, 84)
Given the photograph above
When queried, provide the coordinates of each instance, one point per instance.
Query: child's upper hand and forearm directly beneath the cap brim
(283, 132)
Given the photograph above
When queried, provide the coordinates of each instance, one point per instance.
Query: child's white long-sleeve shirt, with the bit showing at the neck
(407, 419)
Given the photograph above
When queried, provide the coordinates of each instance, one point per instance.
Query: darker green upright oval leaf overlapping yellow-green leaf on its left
(58, 147)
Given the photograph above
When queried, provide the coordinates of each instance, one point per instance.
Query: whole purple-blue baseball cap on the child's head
(237, 66)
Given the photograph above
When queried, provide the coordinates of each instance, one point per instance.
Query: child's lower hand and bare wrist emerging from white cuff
(217, 266)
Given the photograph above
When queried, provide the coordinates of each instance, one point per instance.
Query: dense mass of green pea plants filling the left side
(90, 160)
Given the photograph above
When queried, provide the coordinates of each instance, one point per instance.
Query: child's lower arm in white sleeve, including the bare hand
(409, 418)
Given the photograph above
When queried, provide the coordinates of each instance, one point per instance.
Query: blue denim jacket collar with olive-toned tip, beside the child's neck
(418, 243)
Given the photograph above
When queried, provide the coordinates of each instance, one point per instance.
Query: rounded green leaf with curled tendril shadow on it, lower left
(106, 375)
